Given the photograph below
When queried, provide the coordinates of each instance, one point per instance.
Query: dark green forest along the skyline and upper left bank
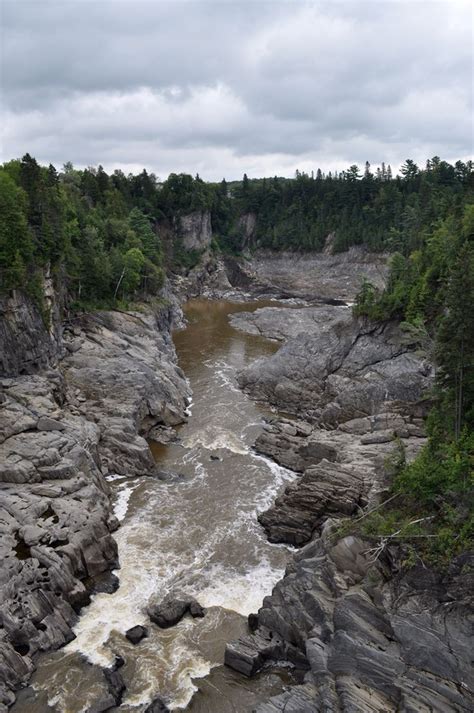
(108, 236)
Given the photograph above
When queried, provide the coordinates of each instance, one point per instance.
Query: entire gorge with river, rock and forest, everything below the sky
(236, 441)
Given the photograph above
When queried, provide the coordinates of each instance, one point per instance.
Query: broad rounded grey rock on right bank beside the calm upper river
(334, 368)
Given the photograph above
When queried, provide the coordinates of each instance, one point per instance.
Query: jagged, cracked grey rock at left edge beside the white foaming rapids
(54, 522)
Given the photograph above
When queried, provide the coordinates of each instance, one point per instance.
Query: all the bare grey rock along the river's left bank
(61, 433)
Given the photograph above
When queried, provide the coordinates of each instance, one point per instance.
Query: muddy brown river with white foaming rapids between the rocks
(197, 533)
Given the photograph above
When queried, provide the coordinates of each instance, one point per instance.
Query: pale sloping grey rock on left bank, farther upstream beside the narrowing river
(122, 374)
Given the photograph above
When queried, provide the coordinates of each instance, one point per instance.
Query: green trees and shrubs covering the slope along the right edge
(432, 291)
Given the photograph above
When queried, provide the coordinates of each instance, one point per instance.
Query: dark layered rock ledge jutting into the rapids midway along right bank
(342, 471)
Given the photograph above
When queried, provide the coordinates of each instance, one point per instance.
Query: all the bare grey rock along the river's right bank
(366, 633)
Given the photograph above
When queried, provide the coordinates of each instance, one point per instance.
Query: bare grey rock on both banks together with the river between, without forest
(334, 401)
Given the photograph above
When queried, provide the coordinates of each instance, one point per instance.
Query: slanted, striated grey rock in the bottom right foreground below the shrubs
(368, 638)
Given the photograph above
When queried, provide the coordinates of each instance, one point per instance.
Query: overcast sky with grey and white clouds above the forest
(226, 87)
